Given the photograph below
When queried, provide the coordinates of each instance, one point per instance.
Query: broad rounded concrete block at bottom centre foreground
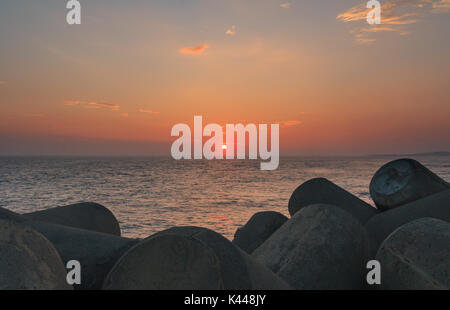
(196, 258)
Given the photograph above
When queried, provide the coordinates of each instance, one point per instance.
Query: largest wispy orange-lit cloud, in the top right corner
(396, 16)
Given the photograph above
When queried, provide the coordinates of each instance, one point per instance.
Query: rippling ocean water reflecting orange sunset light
(151, 194)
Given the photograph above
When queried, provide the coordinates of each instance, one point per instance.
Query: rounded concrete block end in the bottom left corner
(28, 260)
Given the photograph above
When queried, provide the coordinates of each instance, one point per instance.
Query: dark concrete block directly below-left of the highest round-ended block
(323, 191)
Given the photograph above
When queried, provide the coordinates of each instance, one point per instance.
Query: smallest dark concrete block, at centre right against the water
(260, 226)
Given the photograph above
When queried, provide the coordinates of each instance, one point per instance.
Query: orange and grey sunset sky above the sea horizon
(117, 83)
